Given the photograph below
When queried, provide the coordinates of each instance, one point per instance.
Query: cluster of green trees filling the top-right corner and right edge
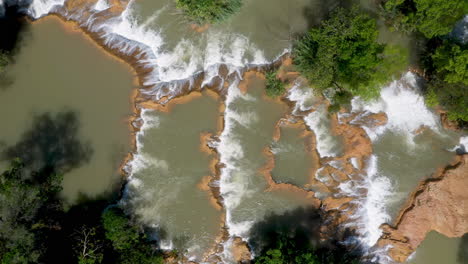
(445, 60)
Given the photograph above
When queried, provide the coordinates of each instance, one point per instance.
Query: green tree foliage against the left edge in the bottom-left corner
(23, 196)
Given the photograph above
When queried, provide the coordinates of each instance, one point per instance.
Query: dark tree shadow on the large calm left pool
(52, 143)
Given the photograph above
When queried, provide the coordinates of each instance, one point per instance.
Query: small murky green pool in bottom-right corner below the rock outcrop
(438, 249)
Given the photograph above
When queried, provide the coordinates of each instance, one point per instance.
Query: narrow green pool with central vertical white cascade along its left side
(251, 119)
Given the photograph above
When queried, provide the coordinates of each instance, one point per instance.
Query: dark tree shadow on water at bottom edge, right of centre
(305, 230)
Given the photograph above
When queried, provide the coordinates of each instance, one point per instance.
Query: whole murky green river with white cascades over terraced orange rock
(174, 188)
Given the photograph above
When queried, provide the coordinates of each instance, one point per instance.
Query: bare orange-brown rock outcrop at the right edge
(439, 203)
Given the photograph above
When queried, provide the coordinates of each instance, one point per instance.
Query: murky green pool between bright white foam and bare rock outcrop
(406, 164)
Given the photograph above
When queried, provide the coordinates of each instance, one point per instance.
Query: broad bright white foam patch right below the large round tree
(404, 106)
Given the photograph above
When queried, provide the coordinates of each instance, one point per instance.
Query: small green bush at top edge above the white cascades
(209, 11)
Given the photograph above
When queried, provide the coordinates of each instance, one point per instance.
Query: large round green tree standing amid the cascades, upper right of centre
(344, 54)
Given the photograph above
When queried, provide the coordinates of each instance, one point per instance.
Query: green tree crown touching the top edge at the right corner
(430, 17)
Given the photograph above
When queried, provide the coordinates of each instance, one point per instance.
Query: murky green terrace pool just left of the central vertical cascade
(163, 191)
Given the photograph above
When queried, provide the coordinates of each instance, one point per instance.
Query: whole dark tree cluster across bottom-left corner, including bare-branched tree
(35, 228)
